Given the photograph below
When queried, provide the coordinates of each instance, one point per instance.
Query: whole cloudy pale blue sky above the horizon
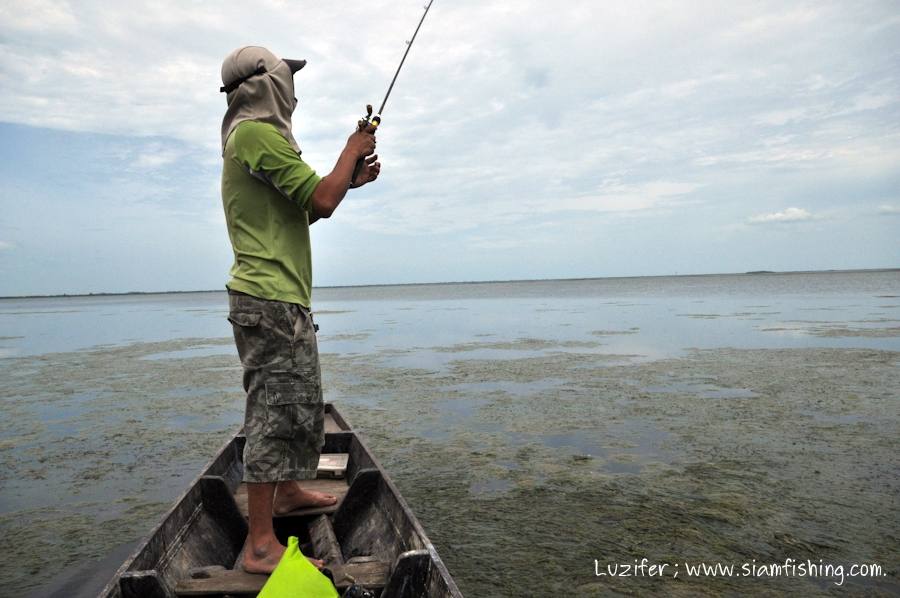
(523, 140)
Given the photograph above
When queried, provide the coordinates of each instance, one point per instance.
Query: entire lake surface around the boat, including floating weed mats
(723, 417)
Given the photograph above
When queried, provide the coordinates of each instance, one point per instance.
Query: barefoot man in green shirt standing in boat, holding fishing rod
(271, 196)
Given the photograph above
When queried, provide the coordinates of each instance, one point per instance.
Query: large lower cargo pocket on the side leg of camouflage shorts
(292, 404)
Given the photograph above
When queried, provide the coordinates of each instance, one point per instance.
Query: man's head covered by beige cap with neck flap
(259, 86)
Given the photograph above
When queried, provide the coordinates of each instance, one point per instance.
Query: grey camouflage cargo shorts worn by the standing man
(284, 420)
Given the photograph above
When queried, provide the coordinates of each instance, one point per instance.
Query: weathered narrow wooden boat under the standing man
(370, 537)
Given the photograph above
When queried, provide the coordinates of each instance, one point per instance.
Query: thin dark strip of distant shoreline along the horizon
(471, 282)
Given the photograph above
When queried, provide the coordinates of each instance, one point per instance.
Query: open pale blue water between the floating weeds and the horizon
(652, 316)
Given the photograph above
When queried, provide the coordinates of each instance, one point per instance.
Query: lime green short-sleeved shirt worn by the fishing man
(266, 191)
